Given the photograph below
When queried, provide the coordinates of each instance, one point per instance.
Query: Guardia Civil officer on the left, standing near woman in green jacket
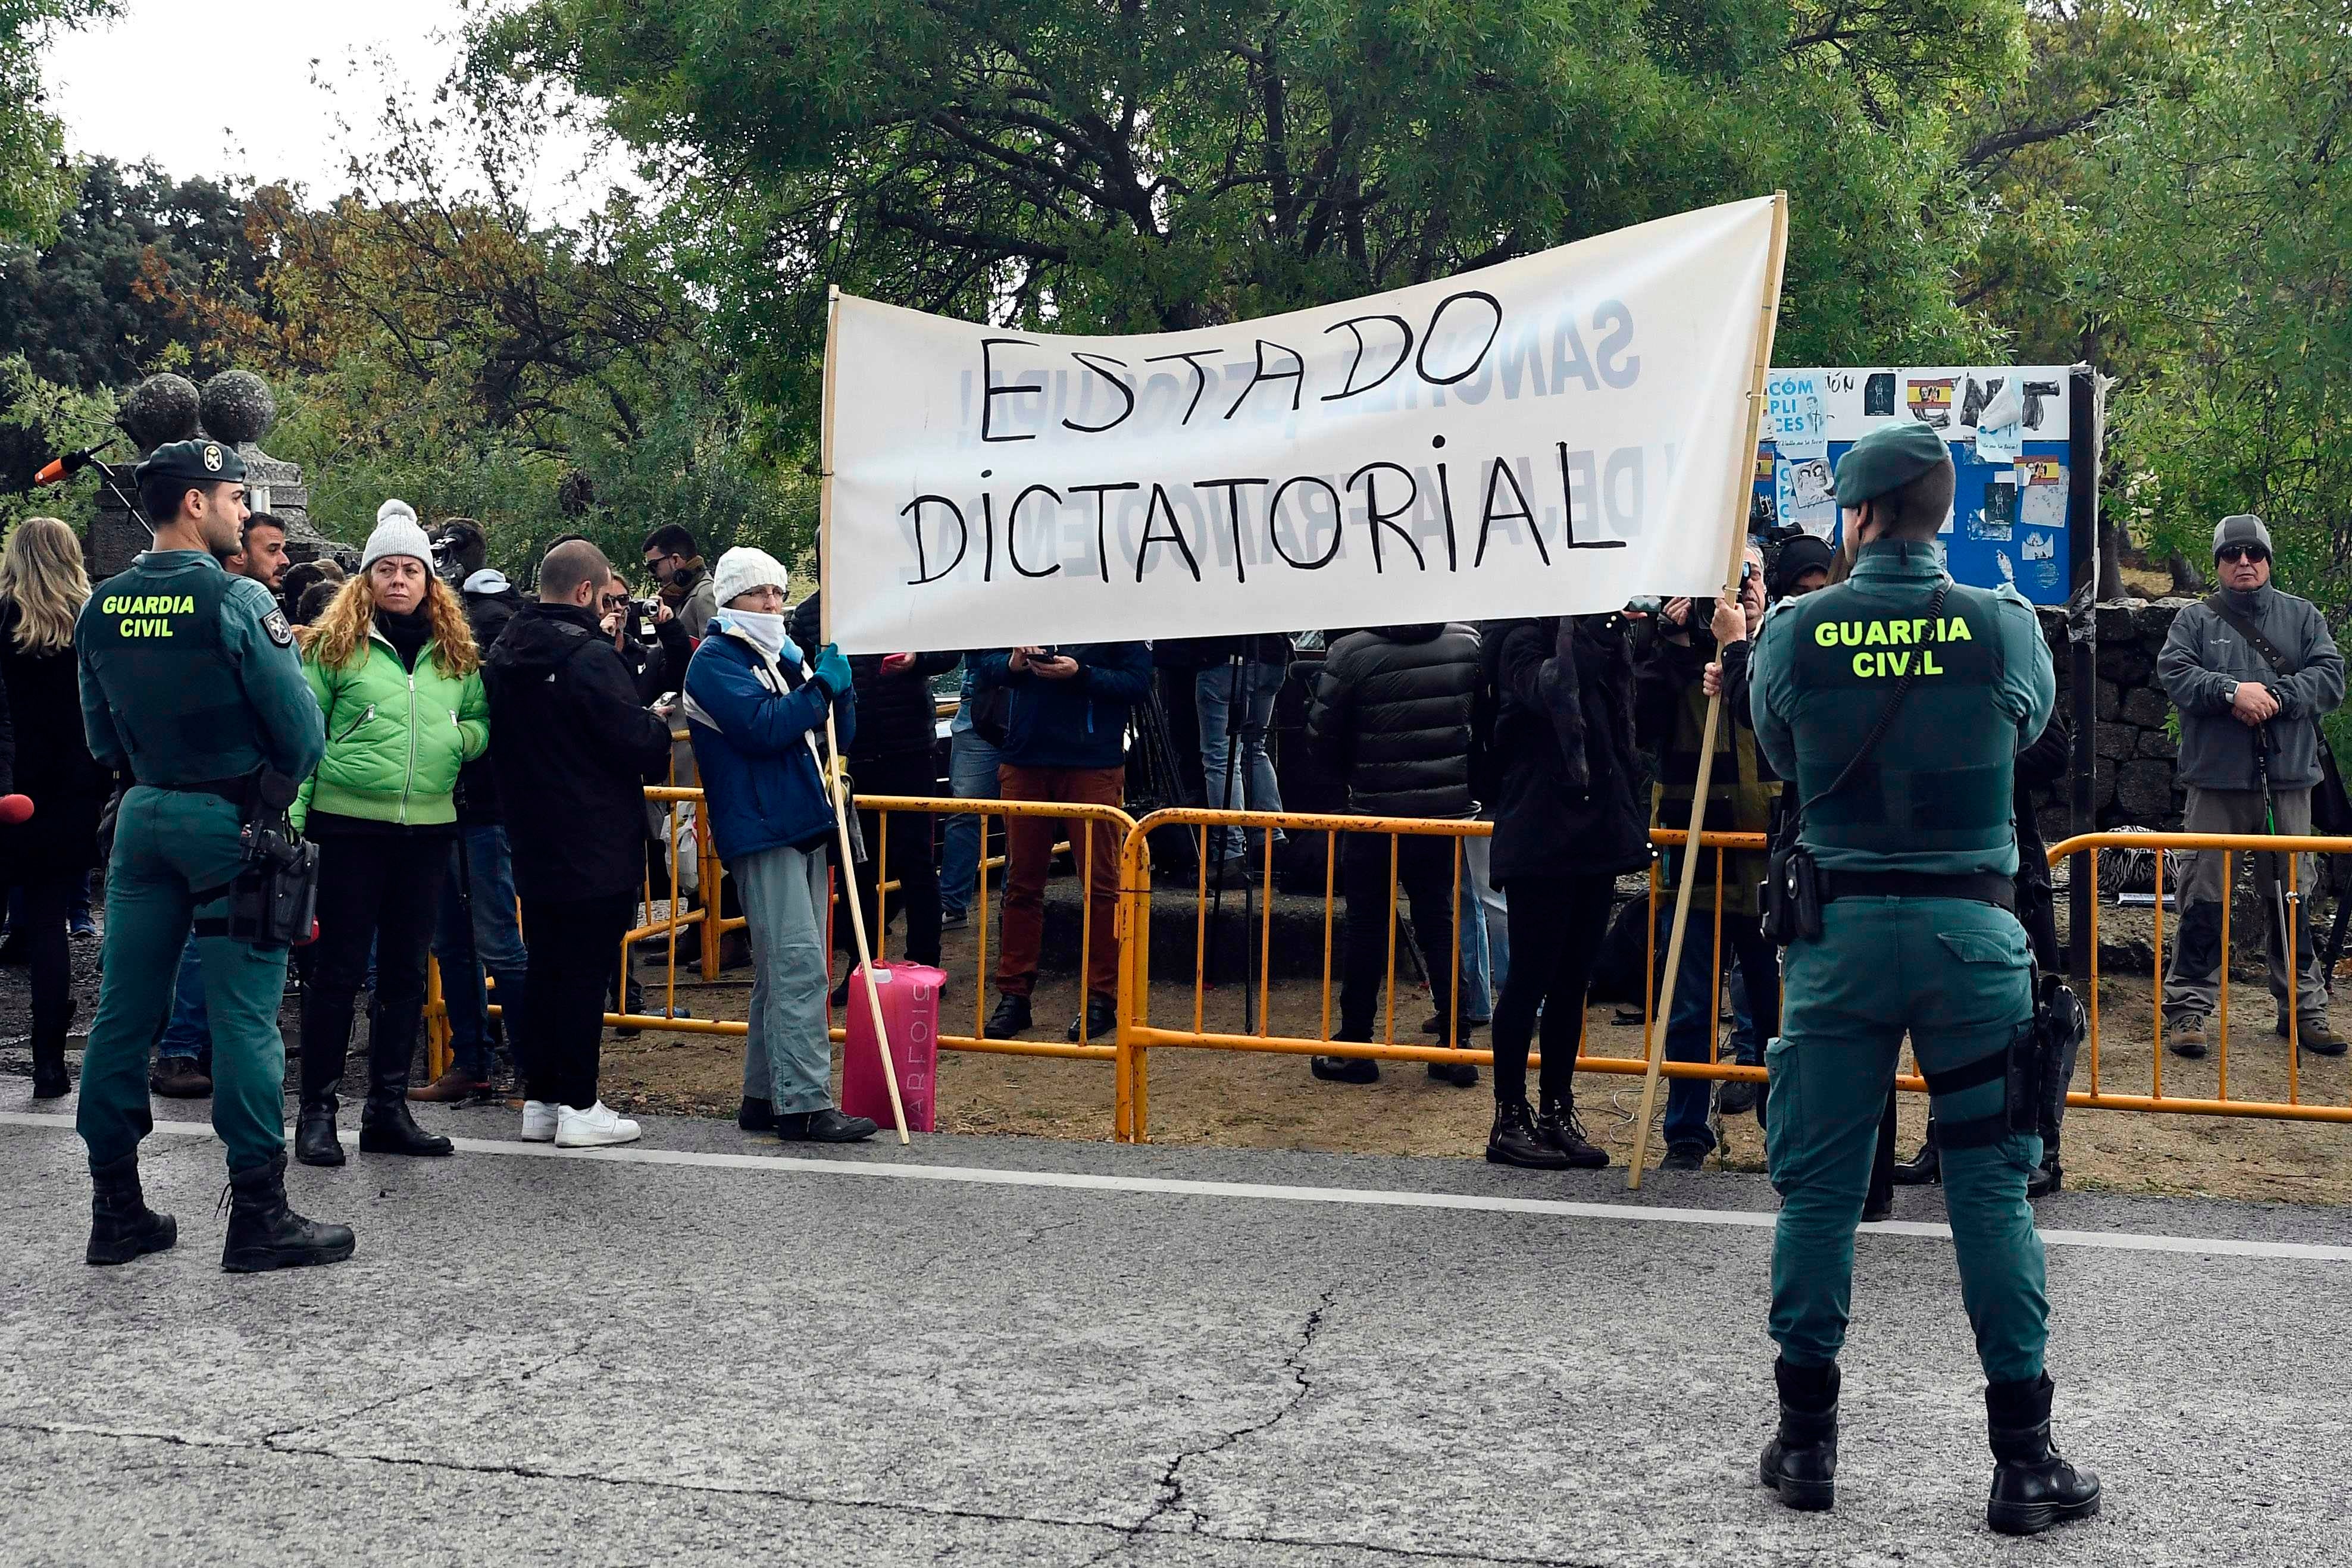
(192, 685)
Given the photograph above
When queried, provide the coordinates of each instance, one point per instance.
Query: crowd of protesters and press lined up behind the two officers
(476, 796)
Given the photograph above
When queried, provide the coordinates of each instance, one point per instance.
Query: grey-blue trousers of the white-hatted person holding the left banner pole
(789, 1045)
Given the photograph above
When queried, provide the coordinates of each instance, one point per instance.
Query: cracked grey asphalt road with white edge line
(991, 1351)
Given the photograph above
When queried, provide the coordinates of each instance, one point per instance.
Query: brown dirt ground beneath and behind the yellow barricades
(1271, 1101)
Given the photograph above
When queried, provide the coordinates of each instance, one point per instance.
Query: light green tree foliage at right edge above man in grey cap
(2221, 250)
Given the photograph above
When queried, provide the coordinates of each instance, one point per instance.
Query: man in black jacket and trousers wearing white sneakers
(573, 749)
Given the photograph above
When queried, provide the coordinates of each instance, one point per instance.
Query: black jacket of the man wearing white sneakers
(573, 751)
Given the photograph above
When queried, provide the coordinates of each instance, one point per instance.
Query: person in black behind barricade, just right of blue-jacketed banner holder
(893, 753)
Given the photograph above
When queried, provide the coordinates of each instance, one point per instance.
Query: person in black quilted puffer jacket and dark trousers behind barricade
(1391, 716)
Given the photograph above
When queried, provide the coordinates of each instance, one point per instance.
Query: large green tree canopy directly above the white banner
(1135, 168)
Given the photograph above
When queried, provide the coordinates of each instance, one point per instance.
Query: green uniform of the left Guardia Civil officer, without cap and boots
(192, 685)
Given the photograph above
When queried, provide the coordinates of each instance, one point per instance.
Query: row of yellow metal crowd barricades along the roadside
(2198, 1087)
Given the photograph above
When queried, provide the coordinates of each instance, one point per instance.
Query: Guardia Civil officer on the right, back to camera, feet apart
(1916, 934)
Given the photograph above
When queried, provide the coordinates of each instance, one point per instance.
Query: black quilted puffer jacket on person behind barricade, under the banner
(1391, 716)
